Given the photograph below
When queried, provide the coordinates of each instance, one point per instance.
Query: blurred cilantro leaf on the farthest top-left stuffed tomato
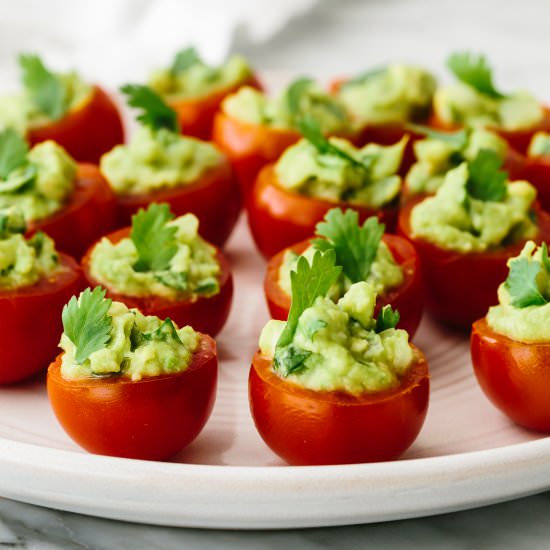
(44, 87)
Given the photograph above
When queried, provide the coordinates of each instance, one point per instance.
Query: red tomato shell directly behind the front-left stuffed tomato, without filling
(206, 314)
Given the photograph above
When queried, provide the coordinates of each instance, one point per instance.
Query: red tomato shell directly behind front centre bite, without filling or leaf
(407, 298)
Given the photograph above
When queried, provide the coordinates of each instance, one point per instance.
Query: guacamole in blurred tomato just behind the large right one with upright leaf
(436, 157)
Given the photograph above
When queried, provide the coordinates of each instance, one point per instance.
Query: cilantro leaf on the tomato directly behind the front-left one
(155, 242)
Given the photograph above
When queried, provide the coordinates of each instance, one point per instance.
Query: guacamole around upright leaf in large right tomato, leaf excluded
(454, 220)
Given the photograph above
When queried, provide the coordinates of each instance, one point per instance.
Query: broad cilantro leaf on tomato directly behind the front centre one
(355, 246)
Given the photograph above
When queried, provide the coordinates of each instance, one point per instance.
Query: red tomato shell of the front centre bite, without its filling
(305, 427)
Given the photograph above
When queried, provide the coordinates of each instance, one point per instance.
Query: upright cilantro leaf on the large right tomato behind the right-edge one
(486, 181)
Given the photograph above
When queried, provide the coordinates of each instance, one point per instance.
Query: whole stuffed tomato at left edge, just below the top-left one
(56, 195)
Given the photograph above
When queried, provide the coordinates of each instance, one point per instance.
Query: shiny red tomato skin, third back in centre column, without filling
(279, 218)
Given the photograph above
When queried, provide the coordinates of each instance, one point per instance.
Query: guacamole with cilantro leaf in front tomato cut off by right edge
(523, 312)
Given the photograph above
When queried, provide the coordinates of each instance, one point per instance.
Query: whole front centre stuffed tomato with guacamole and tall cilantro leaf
(333, 385)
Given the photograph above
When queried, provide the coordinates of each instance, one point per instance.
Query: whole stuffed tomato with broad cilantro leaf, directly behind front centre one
(387, 262)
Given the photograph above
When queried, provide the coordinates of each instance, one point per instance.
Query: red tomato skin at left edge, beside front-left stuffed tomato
(30, 322)
